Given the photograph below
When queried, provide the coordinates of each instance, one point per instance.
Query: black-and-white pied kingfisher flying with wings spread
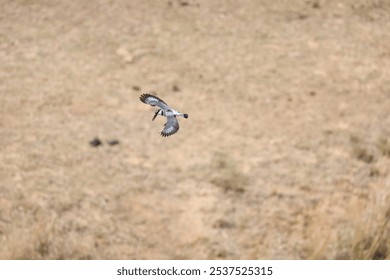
(172, 125)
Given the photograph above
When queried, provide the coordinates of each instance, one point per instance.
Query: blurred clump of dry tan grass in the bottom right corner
(362, 234)
